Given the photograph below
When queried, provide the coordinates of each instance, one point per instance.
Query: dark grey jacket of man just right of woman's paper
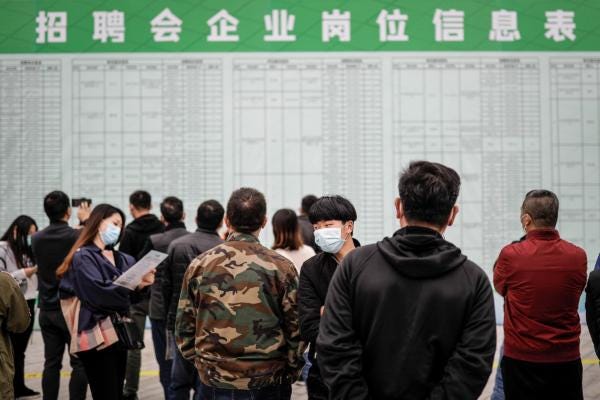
(160, 242)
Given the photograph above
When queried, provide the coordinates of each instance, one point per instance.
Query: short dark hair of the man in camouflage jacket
(246, 210)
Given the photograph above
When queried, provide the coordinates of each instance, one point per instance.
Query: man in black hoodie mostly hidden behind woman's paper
(133, 243)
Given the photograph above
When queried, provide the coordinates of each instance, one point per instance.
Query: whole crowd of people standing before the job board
(408, 317)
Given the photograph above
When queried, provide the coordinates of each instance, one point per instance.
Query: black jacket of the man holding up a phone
(50, 247)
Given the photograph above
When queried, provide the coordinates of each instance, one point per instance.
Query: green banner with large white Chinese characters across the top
(308, 25)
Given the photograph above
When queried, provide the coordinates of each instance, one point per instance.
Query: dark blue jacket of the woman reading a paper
(90, 278)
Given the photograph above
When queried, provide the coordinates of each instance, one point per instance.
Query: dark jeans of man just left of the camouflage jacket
(184, 376)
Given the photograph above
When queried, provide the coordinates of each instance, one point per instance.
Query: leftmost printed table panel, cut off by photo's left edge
(30, 136)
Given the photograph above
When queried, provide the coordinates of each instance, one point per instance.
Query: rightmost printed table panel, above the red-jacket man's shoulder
(575, 113)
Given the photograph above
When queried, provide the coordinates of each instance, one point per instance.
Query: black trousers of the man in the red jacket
(545, 381)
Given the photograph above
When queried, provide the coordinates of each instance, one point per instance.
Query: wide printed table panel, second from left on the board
(153, 124)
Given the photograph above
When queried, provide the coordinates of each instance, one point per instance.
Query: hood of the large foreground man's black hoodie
(420, 253)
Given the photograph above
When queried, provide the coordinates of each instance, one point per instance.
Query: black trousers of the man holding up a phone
(56, 338)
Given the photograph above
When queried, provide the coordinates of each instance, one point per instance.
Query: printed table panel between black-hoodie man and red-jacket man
(480, 116)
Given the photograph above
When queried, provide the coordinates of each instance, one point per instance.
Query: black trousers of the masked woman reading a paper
(105, 370)
